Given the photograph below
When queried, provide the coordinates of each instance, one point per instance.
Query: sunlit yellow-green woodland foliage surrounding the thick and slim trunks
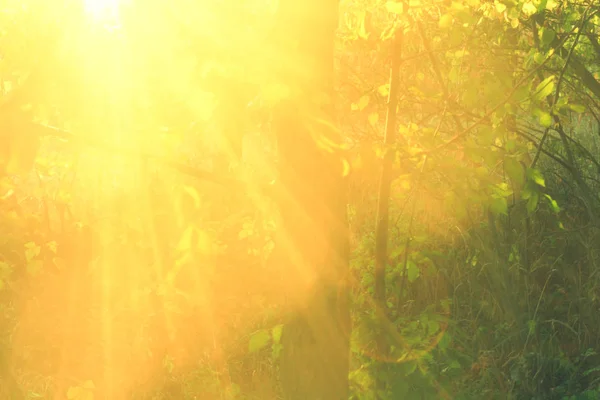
(139, 214)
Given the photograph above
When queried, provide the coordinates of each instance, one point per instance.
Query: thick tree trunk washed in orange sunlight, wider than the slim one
(313, 234)
